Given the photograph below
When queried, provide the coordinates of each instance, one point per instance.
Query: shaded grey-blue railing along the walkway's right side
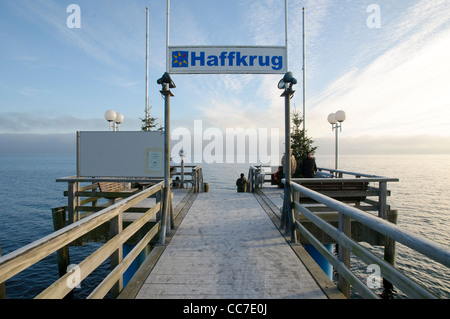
(342, 235)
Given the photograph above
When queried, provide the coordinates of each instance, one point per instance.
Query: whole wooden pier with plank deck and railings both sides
(223, 244)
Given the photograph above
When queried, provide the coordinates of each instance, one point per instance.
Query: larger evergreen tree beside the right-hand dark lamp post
(301, 144)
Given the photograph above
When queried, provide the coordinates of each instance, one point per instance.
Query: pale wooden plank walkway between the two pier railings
(228, 247)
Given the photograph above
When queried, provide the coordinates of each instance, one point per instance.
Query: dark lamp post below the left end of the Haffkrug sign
(167, 84)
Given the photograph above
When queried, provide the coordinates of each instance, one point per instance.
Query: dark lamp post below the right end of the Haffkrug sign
(287, 219)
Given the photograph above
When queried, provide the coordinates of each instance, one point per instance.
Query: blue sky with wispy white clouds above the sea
(385, 63)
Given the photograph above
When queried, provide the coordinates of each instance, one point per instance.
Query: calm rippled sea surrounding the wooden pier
(28, 192)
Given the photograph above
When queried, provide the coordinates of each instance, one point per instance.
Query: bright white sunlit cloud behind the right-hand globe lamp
(402, 92)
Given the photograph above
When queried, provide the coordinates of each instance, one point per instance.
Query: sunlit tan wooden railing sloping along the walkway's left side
(17, 261)
